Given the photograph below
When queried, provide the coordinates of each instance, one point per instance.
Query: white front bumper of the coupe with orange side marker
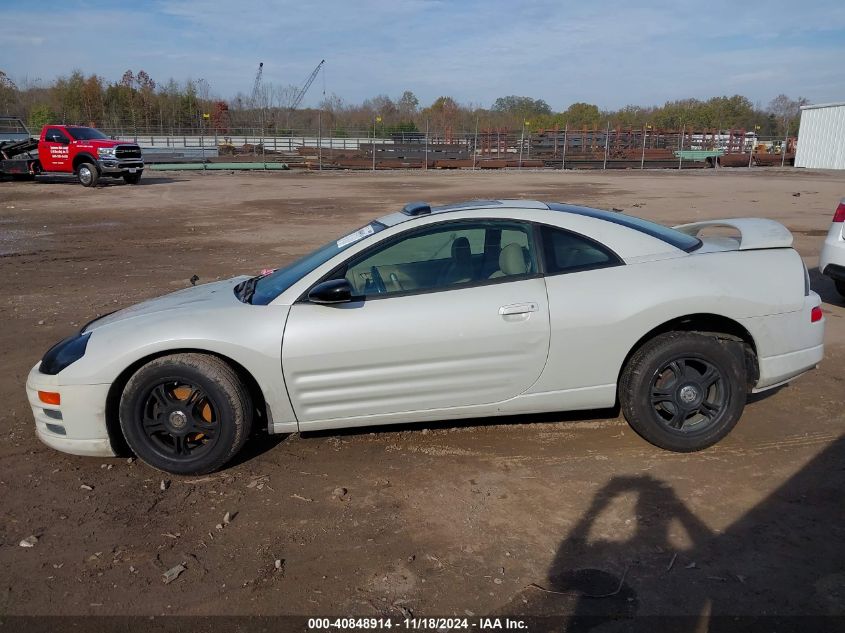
(78, 424)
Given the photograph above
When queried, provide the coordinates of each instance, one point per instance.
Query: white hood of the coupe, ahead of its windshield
(205, 296)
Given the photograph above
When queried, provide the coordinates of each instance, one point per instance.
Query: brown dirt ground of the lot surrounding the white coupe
(453, 518)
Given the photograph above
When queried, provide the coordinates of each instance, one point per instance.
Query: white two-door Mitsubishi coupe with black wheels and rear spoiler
(477, 309)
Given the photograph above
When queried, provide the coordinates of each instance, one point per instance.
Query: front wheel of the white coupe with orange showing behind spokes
(186, 414)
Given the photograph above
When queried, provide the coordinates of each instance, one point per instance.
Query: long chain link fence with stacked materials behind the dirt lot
(484, 148)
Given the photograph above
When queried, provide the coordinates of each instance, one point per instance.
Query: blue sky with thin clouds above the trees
(611, 53)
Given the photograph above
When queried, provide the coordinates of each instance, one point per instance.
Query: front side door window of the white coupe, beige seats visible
(456, 254)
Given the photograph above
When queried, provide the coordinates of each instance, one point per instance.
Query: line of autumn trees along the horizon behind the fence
(138, 103)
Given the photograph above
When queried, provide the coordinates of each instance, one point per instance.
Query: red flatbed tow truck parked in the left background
(73, 149)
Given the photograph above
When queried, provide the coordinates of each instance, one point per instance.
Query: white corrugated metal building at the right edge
(821, 137)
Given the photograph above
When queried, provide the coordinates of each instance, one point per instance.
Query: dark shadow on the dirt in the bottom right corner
(722, 581)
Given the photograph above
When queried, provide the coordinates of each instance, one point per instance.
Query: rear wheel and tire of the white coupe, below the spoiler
(684, 391)
